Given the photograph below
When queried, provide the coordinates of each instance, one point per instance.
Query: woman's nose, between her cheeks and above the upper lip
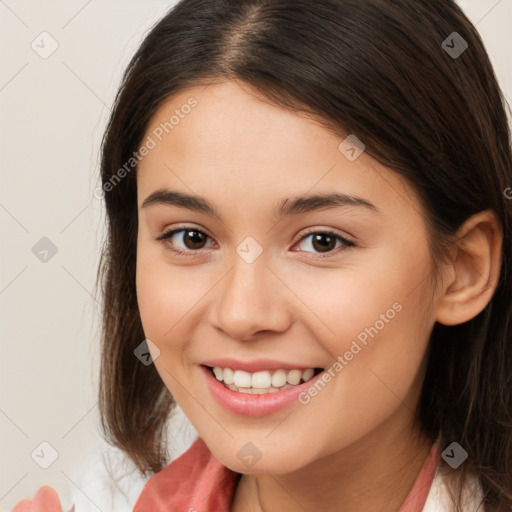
(251, 299)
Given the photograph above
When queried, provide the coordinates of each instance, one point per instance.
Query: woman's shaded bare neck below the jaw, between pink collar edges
(375, 473)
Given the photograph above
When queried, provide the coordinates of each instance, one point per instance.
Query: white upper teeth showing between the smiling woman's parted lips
(262, 382)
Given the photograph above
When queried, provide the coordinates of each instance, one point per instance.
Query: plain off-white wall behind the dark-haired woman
(53, 112)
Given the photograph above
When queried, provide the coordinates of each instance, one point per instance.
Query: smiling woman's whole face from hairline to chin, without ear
(343, 285)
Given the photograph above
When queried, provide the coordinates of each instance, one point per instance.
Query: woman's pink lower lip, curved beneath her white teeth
(254, 405)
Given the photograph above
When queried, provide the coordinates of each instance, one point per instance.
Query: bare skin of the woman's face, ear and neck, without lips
(355, 446)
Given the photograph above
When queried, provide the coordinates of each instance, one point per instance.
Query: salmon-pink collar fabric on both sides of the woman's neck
(198, 482)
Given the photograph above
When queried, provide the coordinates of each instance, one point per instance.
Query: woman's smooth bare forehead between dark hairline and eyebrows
(225, 141)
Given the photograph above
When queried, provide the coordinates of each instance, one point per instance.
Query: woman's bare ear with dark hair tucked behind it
(473, 272)
